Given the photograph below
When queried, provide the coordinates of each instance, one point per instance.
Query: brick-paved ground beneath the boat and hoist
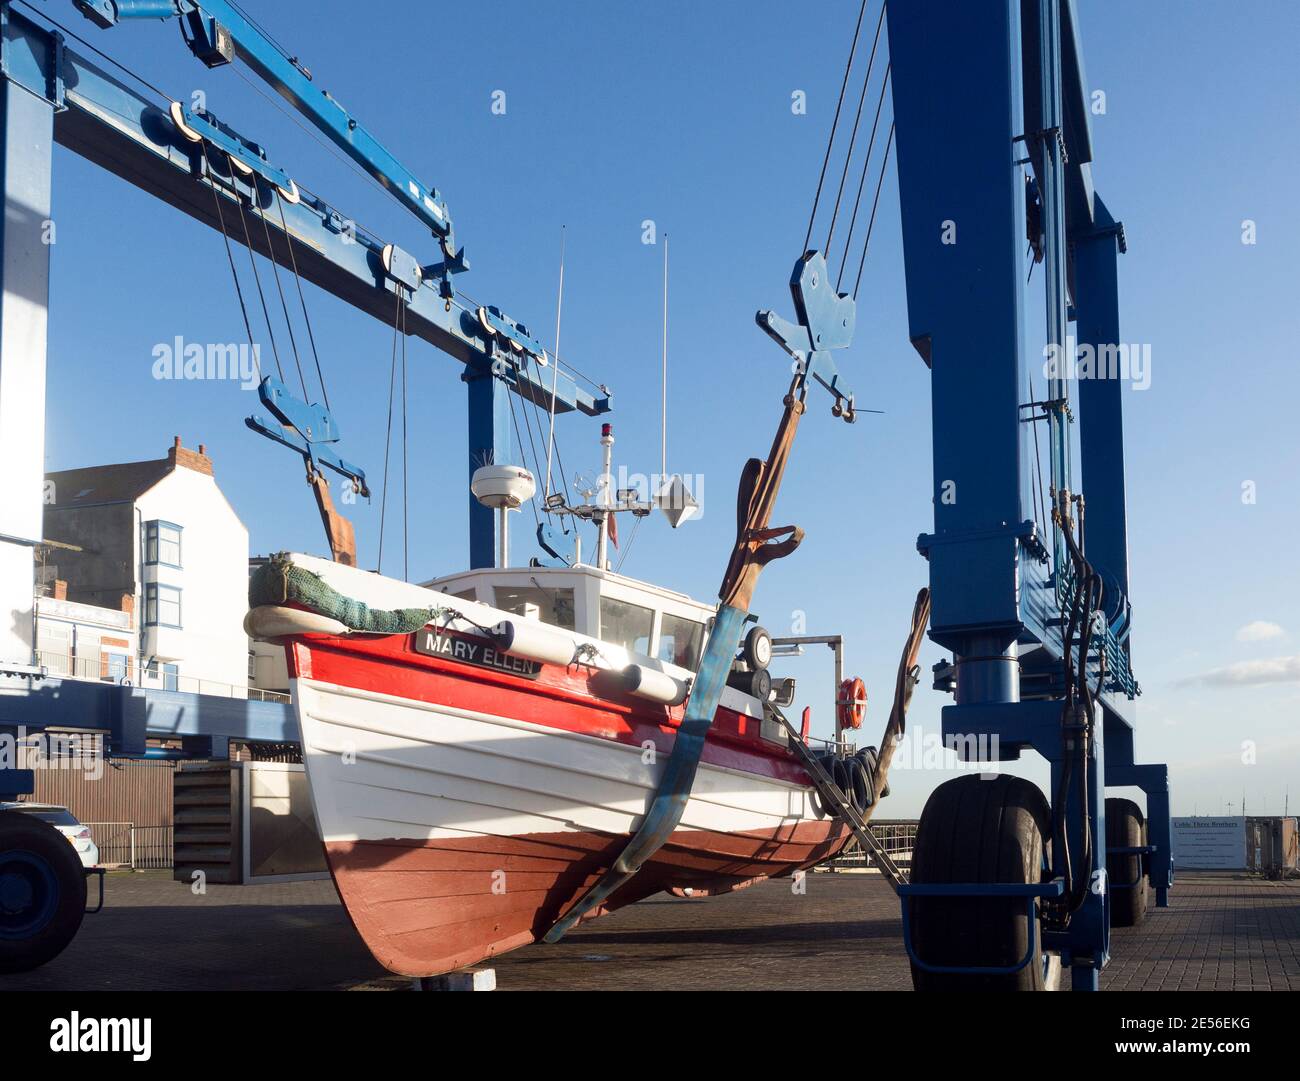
(1227, 932)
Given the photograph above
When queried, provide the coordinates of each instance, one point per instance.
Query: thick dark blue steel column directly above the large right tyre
(957, 108)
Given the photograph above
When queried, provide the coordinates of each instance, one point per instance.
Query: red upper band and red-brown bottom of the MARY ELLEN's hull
(430, 906)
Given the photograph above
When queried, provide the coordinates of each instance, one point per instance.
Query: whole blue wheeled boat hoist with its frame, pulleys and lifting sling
(993, 127)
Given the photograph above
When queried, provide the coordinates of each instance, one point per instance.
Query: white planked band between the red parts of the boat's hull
(384, 767)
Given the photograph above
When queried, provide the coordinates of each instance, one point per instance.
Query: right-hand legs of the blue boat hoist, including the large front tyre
(994, 119)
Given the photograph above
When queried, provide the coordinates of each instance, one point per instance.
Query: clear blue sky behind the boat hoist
(681, 115)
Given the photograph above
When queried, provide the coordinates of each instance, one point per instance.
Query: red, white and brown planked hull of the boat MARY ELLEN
(465, 810)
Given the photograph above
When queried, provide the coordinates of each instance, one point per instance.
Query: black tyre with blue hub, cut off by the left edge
(42, 892)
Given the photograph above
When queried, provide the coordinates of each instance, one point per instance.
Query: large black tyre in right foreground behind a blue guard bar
(981, 831)
